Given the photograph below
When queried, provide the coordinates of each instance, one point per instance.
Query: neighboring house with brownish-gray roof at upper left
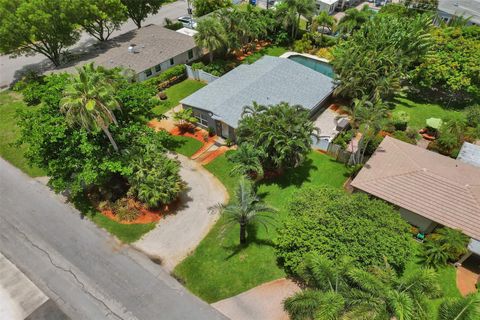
(147, 51)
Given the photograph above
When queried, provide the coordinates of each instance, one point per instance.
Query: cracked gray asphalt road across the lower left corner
(79, 266)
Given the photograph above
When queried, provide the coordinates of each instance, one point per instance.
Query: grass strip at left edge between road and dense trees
(10, 104)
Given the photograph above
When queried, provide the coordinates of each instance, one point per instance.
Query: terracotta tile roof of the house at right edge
(436, 187)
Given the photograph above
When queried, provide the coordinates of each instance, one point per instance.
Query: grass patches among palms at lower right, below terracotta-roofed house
(446, 278)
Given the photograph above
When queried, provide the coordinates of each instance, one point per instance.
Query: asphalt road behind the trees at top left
(12, 68)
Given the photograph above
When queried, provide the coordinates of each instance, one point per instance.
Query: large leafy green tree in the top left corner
(38, 26)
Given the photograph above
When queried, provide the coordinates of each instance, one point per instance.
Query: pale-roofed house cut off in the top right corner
(459, 8)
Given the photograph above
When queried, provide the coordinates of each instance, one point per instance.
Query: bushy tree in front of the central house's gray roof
(284, 133)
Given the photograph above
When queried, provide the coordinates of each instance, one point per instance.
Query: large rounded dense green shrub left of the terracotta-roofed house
(334, 224)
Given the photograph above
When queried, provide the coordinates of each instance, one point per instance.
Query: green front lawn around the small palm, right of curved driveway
(220, 267)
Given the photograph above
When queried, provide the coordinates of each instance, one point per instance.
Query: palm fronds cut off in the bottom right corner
(466, 308)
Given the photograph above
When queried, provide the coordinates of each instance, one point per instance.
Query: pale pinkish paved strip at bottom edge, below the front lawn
(260, 303)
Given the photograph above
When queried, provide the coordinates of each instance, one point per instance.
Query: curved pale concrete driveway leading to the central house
(179, 234)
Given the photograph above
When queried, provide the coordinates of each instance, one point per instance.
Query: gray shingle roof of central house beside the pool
(268, 81)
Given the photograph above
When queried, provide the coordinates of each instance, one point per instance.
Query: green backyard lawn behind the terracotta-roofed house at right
(419, 112)
